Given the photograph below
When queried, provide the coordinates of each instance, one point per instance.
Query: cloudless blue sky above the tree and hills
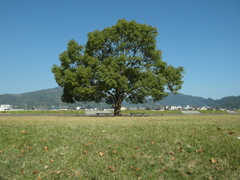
(203, 36)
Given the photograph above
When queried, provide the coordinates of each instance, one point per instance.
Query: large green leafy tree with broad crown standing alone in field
(118, 63)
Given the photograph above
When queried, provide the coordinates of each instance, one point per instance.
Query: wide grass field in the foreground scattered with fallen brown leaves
(157, 147)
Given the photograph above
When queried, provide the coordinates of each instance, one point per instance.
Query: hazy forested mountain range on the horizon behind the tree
(46, 98)
